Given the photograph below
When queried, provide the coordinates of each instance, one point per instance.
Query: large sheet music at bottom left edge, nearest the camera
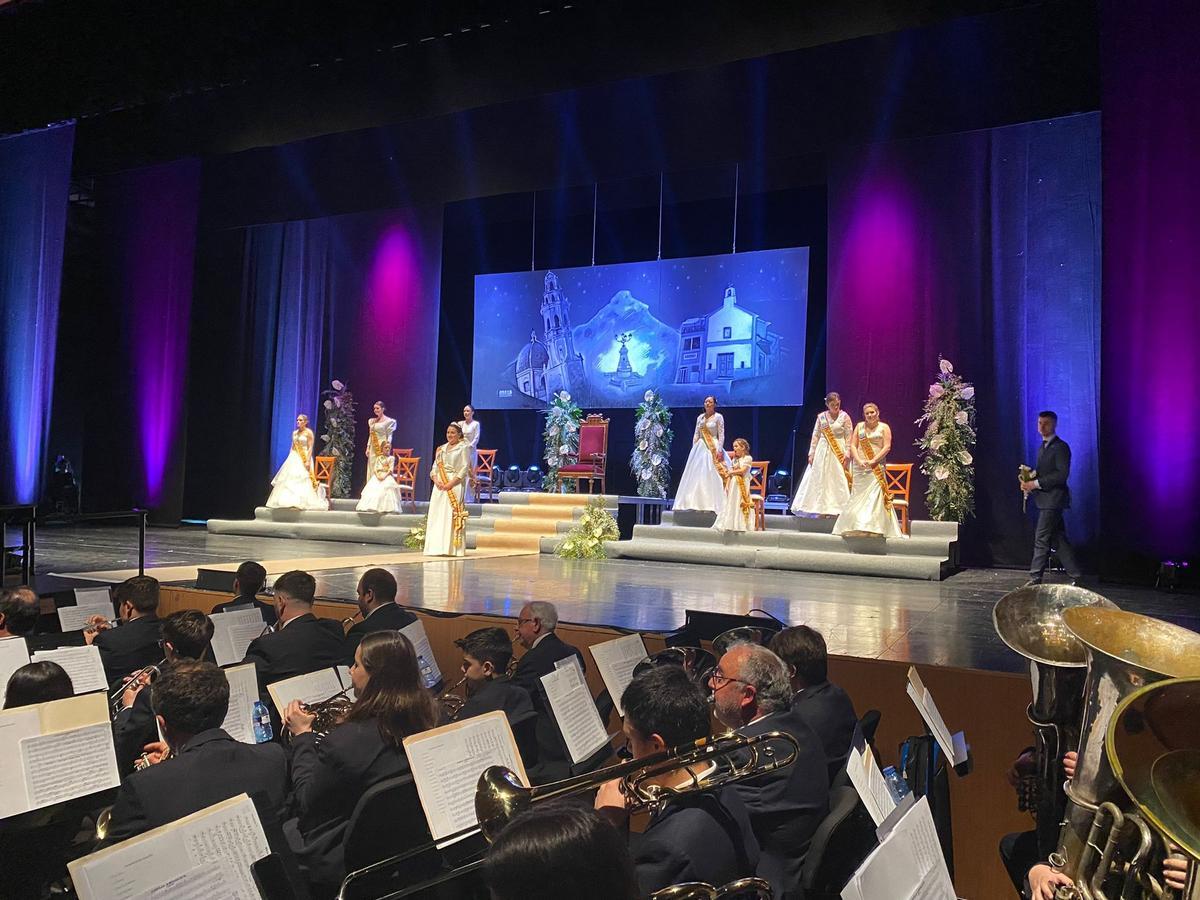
(226, 838)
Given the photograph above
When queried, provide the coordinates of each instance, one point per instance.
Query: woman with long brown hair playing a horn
(329, 778)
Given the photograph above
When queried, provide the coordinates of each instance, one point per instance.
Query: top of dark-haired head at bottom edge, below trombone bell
(561, 850)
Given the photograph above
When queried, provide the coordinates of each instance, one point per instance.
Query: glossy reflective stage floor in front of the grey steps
(943, 623)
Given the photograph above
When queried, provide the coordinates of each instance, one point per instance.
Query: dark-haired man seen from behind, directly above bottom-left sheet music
(191, 703)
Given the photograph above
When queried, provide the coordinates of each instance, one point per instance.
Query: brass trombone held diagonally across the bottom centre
(501, 796)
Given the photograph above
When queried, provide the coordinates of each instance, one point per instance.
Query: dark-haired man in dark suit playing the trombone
(703, 837)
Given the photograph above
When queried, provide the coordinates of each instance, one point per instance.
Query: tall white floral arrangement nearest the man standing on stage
(945, 455)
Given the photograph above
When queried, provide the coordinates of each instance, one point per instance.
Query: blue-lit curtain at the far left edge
(35, 172)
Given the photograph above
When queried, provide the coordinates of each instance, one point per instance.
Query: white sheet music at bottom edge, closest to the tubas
(907, 866)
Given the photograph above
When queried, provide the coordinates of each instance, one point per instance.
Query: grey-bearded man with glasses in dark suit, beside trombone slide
(753, 694)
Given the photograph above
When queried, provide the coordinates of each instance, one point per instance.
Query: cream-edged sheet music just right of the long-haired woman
(447, 764)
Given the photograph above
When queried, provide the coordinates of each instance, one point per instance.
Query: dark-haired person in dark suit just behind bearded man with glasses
(817, 700)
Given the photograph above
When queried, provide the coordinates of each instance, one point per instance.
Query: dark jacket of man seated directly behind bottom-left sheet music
(212, 767)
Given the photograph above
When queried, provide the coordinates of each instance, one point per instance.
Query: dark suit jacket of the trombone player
(703, 838)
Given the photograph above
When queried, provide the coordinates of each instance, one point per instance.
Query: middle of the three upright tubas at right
(1126, 652)
